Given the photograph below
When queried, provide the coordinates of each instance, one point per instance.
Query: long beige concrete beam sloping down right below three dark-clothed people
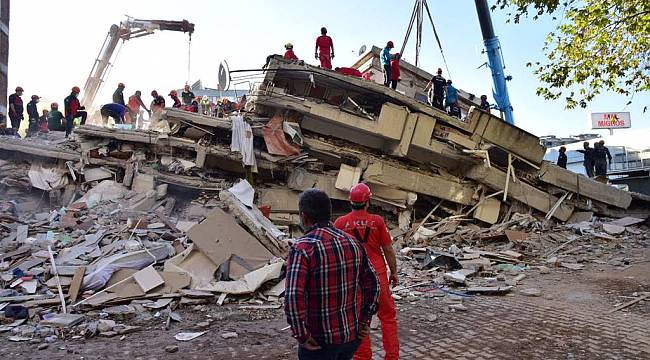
(583, 186)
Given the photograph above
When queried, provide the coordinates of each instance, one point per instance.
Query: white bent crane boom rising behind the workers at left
(129, 29)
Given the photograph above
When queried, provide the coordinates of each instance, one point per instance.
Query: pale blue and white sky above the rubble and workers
(54, 47)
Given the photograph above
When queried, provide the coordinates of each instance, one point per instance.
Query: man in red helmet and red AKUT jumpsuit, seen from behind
(371, 230)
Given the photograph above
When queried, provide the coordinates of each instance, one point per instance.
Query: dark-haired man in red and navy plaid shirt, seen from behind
(332, 289)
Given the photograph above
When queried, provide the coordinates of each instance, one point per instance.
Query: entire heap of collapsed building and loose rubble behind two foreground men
(154, 220)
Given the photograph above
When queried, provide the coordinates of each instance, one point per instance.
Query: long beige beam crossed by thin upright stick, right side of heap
(520, 191)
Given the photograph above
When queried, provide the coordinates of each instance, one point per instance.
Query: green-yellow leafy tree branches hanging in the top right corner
(599, 46)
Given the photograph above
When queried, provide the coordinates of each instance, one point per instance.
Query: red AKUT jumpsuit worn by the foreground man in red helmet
(373, 233)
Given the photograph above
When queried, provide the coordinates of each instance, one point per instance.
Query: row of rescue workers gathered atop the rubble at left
(120, 110)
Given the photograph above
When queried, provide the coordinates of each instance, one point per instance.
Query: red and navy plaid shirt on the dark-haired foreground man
(331, 287)
